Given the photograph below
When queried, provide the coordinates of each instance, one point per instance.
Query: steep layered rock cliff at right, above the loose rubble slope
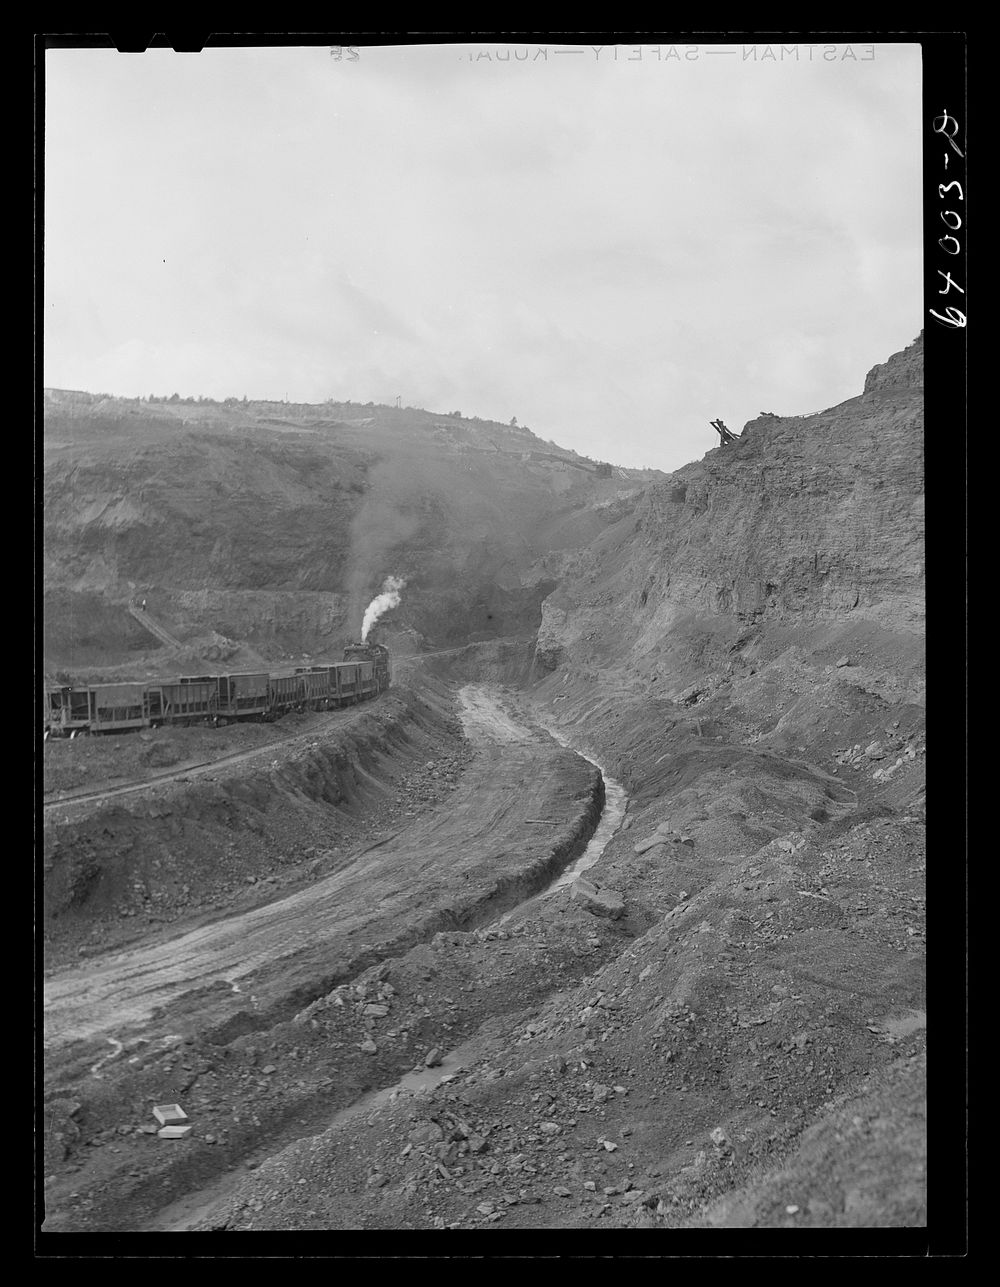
(804, 522)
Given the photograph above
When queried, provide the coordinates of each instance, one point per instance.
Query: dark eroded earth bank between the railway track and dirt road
(164, 851)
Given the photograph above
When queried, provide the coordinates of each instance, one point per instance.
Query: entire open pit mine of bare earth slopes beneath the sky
(606, 913)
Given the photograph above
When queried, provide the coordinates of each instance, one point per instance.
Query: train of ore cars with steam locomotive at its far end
(217, 699)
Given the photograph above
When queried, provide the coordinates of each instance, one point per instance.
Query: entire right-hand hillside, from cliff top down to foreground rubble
(745, 1043)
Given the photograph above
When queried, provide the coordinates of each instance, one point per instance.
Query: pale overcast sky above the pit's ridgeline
(613, 250)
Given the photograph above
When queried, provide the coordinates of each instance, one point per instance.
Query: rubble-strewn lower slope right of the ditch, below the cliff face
(745, 1046)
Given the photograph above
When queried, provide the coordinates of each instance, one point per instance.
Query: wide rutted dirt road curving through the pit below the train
(461, 864)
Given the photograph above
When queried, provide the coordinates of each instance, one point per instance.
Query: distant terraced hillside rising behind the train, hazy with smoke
(275, 524)
